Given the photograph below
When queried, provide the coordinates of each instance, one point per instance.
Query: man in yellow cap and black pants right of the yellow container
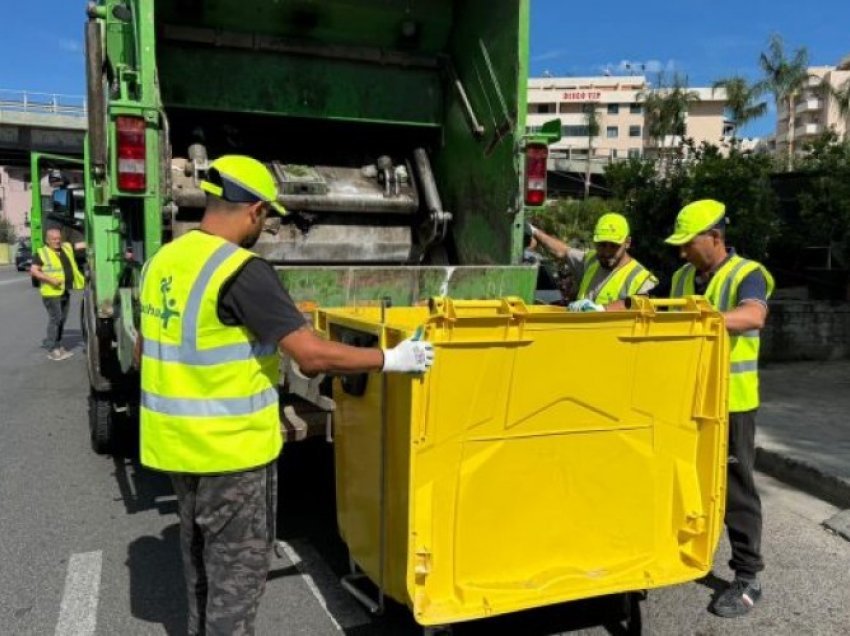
(740, 289)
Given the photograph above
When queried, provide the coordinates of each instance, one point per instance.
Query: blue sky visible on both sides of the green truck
(41, 42)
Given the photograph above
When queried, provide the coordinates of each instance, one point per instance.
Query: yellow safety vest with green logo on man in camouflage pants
(209, 391)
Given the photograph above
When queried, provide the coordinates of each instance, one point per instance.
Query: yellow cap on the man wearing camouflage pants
(241, 179)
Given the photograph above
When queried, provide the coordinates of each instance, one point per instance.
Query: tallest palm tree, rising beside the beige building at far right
(784, 78)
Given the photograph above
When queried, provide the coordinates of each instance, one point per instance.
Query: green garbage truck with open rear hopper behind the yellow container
(395, 129)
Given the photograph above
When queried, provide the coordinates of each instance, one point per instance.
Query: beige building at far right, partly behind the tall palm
(815, 110)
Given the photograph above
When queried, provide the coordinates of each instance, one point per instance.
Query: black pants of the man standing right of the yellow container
(743, 505)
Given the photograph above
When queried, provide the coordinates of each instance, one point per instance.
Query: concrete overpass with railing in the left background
(48, 122)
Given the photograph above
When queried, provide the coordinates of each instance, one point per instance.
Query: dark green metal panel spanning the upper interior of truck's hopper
(261, 82)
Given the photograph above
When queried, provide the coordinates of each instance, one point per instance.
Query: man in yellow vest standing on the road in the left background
(55, 268)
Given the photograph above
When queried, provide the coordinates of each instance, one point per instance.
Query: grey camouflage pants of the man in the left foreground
(227, 526)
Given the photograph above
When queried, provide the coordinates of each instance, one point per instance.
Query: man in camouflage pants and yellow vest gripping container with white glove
(213, 319)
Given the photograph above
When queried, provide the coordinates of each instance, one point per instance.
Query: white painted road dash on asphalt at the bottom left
(78, 612)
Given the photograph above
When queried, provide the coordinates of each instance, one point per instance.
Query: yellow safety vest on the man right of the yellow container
(722, 293)
